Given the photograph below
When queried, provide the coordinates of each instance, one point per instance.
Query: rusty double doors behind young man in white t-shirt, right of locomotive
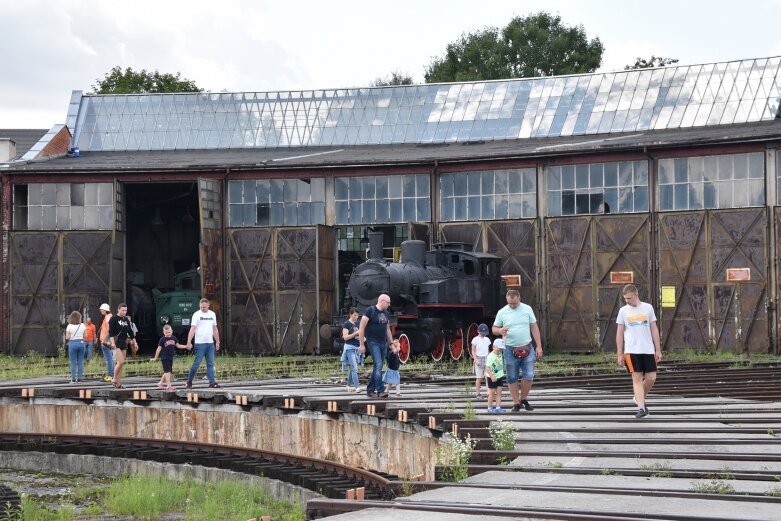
(581, 253)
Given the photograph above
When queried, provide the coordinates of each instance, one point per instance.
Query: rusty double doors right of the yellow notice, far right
(695, 250)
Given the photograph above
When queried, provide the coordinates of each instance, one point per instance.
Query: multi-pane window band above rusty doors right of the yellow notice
(725, 181)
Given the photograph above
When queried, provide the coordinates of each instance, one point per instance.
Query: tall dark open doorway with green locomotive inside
(162, 256)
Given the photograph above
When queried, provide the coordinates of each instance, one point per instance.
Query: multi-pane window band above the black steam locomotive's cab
(488, 195)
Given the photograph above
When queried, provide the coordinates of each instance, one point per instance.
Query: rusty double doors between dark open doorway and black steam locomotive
(275, 292)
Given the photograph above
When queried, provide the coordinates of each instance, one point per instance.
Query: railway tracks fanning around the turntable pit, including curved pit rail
(710, 451)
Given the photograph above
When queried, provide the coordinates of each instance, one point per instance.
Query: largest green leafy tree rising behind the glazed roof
(536, 45)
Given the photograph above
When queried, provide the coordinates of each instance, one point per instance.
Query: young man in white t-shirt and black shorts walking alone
(637, 345)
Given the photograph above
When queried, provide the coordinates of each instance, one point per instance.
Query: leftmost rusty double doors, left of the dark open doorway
(52, 274)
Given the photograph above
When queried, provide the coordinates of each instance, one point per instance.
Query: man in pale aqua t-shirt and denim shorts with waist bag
(516, 324)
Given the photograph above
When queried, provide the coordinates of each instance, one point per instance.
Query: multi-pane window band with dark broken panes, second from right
(615, 187)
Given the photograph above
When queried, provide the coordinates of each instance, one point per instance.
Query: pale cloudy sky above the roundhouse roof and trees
(50, 48)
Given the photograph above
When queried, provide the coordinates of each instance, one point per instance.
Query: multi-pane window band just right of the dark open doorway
(276, 202)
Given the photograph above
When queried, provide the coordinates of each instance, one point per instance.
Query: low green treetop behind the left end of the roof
(129, 81)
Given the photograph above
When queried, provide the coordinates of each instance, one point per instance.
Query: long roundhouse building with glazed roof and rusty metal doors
(667, 177)
